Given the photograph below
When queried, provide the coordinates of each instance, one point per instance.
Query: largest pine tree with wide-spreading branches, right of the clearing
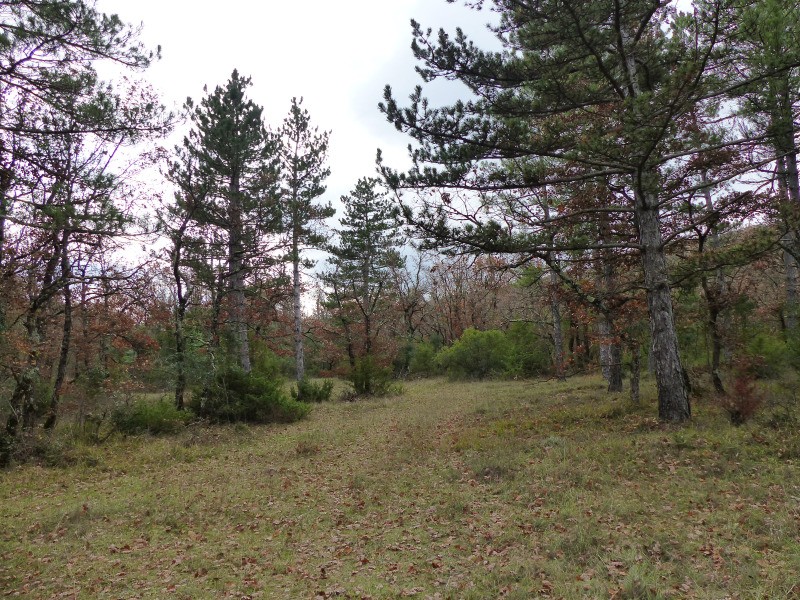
(601, 89)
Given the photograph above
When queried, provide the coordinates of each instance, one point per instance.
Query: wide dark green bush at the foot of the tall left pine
(235, 396)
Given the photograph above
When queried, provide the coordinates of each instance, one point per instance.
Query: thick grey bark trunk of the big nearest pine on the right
(673, 395)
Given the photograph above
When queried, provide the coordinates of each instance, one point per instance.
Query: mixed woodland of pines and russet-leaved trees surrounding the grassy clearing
(618, 191)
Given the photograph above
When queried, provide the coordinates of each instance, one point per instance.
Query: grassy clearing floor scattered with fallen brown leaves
(452, 490)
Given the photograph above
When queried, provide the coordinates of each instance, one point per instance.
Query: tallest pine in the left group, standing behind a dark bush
(230, 162)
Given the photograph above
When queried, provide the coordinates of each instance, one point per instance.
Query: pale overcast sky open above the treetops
(338, 55)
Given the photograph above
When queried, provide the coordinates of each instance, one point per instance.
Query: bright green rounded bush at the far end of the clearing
(477, 355)
